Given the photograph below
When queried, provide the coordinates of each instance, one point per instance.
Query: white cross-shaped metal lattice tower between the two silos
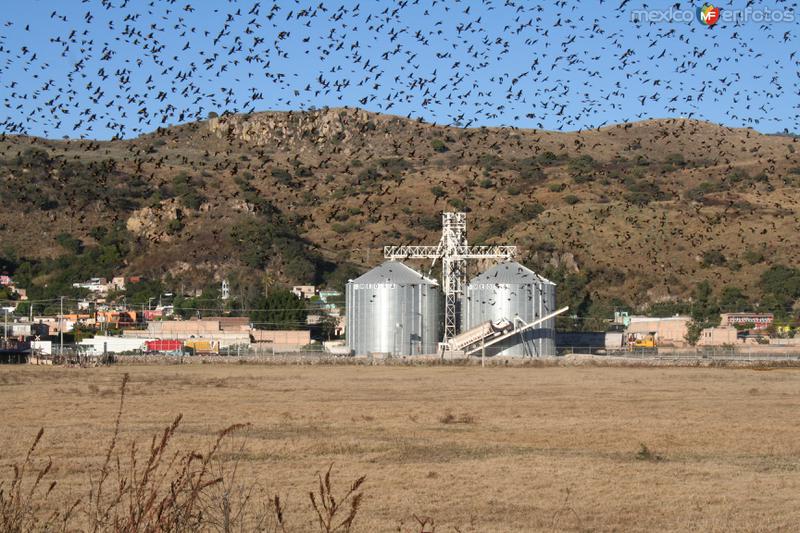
(454, 252)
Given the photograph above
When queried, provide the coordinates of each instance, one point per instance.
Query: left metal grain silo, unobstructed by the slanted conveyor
(392, 309)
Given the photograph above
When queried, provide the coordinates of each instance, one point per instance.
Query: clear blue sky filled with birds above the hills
(99, 68)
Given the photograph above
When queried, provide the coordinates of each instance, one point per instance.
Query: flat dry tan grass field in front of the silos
(483, 450)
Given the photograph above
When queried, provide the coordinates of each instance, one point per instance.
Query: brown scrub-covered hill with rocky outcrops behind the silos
(633, 214)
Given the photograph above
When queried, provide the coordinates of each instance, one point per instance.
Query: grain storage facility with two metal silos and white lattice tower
(508, 310)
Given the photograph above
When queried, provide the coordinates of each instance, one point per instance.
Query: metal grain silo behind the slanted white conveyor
(510, 290)
